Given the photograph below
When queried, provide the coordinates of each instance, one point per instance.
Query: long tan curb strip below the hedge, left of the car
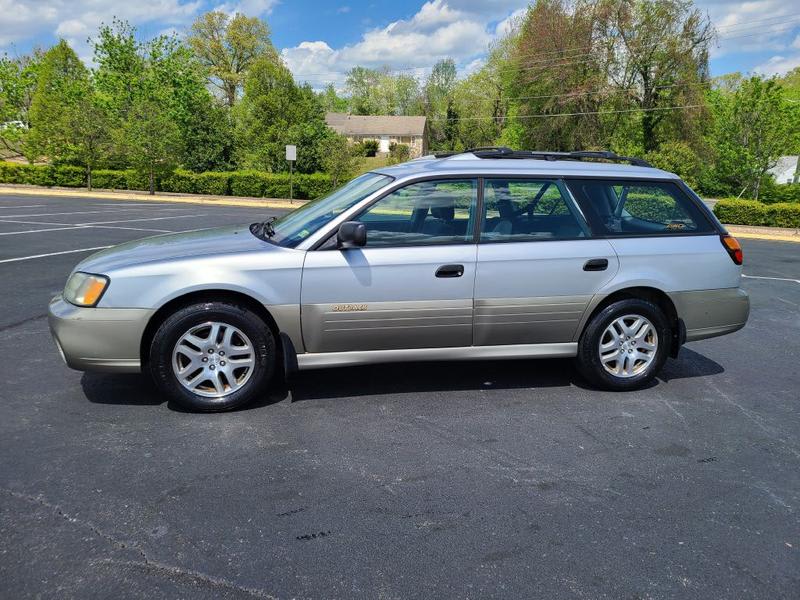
(13, 190)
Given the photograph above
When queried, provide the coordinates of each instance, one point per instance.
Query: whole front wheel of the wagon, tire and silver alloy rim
(212, 356)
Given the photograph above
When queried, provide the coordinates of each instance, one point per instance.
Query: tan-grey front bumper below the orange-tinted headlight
(98, 339)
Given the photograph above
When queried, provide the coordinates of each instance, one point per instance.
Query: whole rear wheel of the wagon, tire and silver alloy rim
(625, 345)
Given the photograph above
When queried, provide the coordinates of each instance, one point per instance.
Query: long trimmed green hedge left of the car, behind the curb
(235, 183)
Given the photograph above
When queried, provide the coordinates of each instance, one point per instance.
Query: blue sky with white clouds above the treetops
(321, 40)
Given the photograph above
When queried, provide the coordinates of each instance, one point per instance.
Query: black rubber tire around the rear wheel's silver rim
(589, 362)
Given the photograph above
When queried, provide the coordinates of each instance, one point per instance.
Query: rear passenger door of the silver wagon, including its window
(537, 269)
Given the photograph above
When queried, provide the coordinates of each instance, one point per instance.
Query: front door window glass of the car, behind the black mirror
(424, 213)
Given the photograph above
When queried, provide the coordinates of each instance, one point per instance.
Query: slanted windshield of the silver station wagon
(291, 229)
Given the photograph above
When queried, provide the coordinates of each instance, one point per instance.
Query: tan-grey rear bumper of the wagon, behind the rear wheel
(711, 313)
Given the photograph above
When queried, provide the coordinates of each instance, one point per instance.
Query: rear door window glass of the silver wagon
(524, 210)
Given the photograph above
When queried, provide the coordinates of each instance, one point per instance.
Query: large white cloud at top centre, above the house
(457, 29)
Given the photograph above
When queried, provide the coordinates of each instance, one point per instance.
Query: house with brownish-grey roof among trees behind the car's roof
(385, 129)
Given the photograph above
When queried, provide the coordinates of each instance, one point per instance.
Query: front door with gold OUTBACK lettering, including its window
(409, 287)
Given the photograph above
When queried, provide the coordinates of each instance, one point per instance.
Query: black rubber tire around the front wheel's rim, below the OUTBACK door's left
(182, 321)
